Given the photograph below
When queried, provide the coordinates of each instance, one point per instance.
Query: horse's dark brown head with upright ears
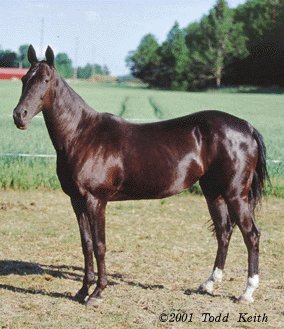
(36, 91)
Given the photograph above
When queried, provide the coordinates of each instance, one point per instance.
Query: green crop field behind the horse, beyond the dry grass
(264, 111)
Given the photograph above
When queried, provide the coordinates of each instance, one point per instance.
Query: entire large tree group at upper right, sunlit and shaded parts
(228, 46)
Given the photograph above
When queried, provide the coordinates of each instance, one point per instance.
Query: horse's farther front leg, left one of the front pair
(79, 206)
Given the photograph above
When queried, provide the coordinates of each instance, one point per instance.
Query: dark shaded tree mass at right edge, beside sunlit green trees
(263, 26)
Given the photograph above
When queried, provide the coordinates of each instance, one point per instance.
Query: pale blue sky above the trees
(100, 31)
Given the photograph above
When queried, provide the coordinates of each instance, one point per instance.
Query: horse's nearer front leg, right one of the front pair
(96, 214)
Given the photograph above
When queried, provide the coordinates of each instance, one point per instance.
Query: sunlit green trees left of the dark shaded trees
(197, 53)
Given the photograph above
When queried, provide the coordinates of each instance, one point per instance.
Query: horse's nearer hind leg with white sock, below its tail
(240, 211)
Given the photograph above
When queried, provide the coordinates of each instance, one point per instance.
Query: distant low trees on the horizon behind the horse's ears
(62, 63)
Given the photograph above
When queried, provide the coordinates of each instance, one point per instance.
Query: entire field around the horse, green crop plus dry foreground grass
(158, 252)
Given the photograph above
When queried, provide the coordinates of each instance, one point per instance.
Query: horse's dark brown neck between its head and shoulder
(63, 118)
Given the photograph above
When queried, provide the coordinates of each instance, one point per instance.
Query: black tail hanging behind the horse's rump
(260, 173)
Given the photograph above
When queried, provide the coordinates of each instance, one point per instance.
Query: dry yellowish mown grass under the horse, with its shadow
(158, 253)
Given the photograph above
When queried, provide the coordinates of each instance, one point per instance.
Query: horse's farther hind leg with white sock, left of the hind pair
(223, 229)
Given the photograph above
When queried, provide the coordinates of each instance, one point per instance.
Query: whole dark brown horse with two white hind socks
(102, 157)
